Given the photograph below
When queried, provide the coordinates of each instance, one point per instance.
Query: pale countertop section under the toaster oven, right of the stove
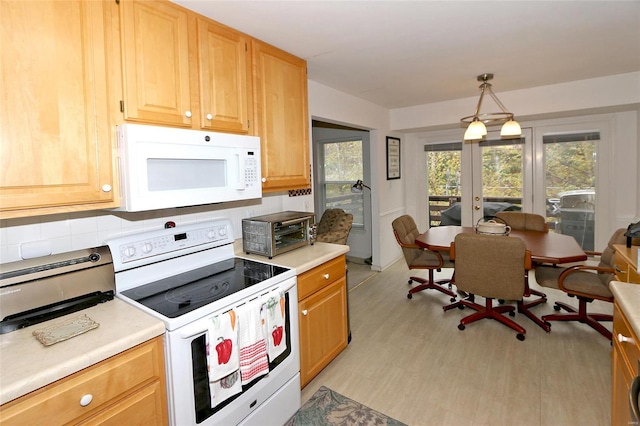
(302, 259)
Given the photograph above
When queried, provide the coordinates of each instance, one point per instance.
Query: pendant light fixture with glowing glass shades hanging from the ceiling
(477, 129)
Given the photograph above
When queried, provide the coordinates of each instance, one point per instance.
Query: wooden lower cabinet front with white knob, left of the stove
(128, 388)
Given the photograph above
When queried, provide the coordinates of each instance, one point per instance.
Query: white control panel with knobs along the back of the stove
(155, 245)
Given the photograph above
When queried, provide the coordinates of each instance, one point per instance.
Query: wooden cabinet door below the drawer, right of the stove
(323, 328)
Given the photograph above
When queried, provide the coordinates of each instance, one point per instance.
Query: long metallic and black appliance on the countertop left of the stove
(40, 289)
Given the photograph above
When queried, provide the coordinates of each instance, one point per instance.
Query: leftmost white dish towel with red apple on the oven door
(222, 342)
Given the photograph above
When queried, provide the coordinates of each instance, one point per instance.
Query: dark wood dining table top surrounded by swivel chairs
(545, 247)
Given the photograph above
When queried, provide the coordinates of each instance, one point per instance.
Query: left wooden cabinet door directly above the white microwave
(155, 61)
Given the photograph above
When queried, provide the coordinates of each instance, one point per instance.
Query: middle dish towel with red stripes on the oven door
(251, 340)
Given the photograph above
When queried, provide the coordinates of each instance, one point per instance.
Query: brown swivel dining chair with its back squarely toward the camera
(492, 267)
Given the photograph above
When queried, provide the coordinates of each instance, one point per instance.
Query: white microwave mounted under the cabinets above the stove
(162, 167)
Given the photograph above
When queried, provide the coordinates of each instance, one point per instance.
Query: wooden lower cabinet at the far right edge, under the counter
(625, 359)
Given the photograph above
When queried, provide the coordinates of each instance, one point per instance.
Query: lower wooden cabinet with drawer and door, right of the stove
(322, 295)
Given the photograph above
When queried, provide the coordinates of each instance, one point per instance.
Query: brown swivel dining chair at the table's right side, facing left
(585, 282)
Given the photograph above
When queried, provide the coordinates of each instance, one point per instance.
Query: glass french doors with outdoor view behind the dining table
(553, 174)
